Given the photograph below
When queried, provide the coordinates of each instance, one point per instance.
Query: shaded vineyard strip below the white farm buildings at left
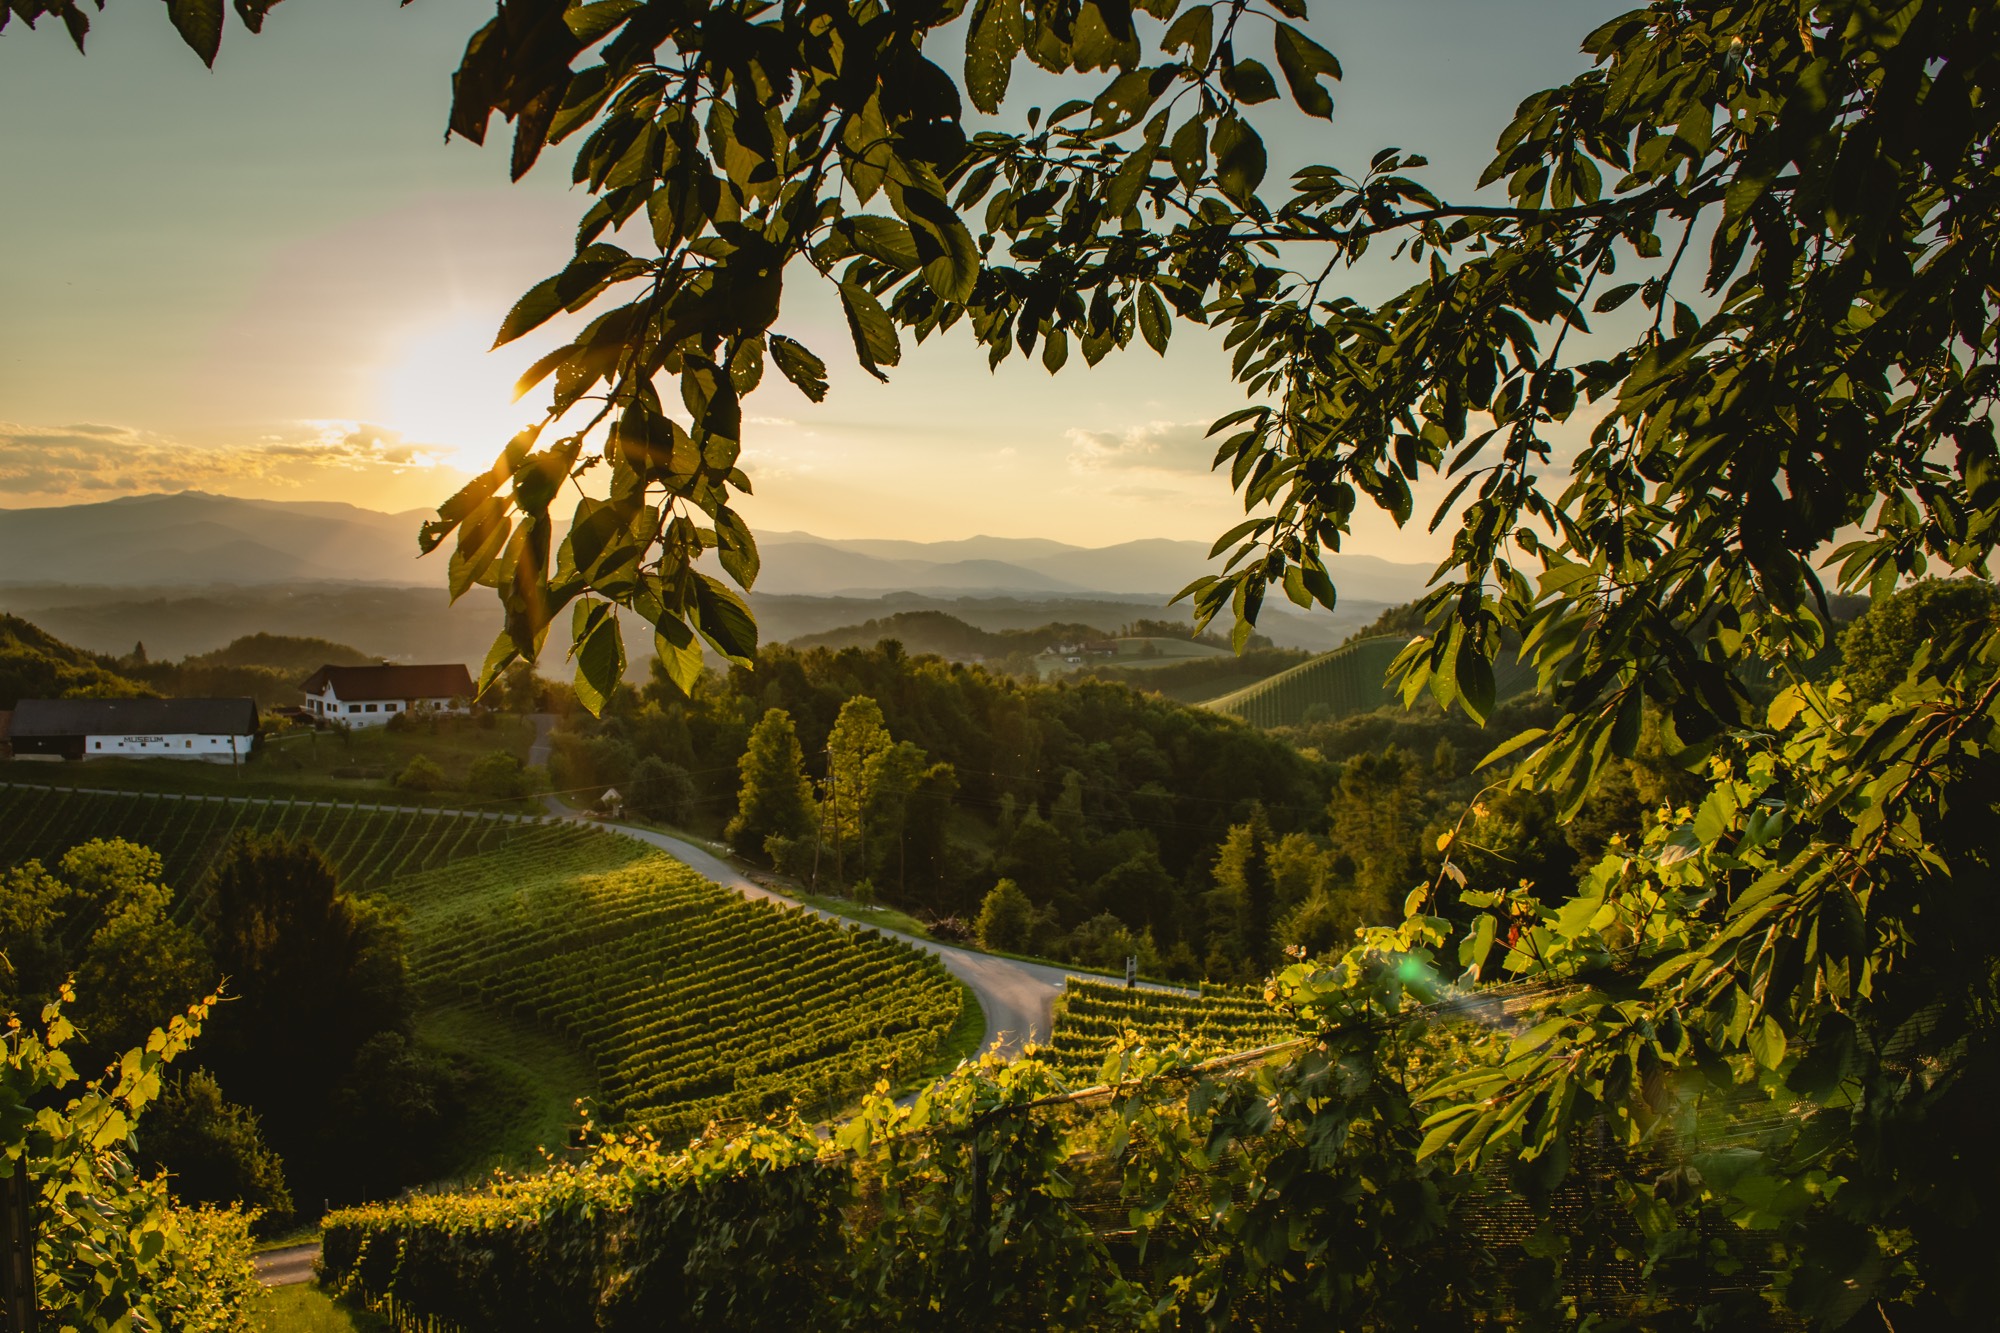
(367, 846)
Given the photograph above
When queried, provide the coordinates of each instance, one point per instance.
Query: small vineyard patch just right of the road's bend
(1093, 1016)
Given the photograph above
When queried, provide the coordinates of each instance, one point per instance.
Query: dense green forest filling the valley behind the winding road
(1083, 822)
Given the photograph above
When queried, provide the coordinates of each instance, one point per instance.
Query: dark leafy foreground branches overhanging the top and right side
(1751, 255)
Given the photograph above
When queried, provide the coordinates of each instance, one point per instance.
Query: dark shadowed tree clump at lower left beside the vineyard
(307, 1084)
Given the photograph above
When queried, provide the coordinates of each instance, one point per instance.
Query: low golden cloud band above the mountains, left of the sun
(95, 461)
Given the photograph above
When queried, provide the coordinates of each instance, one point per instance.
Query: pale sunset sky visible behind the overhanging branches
(277, 279)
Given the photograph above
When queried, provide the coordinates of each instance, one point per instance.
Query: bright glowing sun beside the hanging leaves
(443, 387)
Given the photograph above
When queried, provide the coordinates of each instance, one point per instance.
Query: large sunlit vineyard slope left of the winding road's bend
(691, 1002)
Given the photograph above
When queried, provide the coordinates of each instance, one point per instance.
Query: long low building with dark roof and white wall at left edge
(213, 730)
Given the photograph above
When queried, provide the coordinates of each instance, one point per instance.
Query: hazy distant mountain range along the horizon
(205, 539)
